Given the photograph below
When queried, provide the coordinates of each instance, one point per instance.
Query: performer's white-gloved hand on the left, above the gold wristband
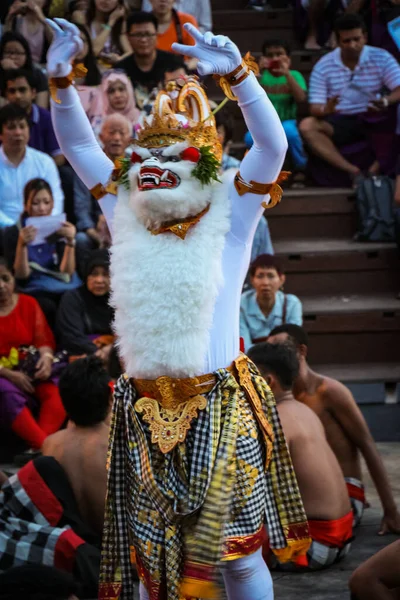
(65, 46)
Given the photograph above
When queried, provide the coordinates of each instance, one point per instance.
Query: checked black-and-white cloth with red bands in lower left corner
(40, 529)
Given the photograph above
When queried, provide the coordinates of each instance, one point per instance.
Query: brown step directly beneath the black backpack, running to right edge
(316, 267)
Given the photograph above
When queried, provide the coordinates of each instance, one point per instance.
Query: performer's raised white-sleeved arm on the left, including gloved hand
(71, 125)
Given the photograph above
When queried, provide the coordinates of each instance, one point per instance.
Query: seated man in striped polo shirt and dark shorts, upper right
(345, 84)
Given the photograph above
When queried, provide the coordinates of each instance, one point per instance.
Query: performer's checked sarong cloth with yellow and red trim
(174, 515)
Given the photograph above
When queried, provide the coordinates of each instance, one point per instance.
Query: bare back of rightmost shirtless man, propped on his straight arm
(323, 400)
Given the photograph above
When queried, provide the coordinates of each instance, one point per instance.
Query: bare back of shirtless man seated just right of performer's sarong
(319, 475)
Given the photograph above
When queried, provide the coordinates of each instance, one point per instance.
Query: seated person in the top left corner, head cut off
(29, 19)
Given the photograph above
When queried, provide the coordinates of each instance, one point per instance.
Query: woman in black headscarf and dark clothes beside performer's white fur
(84, 315)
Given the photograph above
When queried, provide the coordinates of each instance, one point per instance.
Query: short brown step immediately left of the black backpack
(314, 213)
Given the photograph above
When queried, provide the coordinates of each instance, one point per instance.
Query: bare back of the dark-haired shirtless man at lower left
(82, 452)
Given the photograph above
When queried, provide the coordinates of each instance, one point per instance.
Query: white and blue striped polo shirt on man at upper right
(376, 69)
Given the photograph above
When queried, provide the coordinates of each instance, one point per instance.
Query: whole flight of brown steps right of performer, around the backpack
(348, 289)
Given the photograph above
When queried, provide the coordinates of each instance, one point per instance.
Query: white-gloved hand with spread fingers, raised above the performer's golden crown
(216, 53)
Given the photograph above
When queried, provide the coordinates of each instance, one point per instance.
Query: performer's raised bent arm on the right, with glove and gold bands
(218, 55)
